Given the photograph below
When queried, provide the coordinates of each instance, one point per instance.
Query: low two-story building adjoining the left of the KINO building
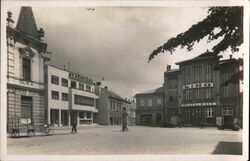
(150, 107)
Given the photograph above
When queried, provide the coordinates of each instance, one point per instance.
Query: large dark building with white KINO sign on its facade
(195, 94)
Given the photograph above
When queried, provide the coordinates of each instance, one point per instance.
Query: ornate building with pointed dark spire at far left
(26, 53)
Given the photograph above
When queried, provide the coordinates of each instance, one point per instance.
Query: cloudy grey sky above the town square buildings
(115, 42)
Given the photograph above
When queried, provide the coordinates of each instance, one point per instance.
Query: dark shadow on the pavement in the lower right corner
(232, 148)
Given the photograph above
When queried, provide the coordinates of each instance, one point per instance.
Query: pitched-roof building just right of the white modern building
(110, 106)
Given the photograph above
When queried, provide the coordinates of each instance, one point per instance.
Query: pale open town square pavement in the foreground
(97, 139)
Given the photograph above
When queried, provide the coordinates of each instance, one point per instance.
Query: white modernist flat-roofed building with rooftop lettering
(69, 97)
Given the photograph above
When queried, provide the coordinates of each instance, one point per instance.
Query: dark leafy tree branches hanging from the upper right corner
(229, 21)
